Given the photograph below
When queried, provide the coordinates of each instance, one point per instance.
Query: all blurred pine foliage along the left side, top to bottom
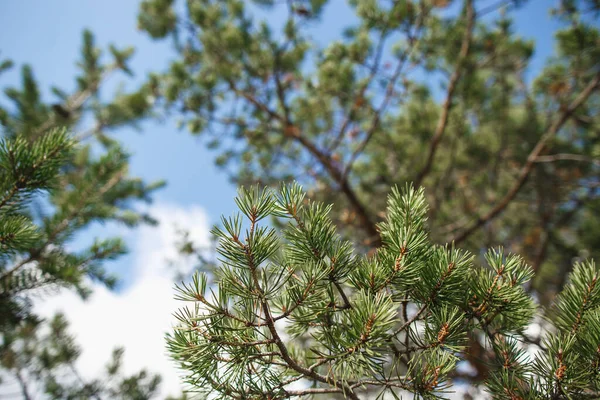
(53, 186)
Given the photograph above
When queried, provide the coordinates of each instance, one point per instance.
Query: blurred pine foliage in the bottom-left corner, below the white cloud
(44, 365)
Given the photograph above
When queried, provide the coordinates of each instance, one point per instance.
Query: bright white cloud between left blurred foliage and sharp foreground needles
(137, 317)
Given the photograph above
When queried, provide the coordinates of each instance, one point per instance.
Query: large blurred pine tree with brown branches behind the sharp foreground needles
(438, 93)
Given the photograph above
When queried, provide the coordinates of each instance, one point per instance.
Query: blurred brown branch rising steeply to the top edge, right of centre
(456, 75)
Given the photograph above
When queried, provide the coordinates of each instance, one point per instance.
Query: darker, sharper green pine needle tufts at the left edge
(25, 169)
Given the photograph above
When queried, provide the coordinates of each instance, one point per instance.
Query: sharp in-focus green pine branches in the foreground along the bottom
(298, 313)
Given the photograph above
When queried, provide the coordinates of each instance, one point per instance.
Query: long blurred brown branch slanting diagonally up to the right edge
(531, 160)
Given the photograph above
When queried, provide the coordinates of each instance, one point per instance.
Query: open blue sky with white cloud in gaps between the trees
(47, 35)
